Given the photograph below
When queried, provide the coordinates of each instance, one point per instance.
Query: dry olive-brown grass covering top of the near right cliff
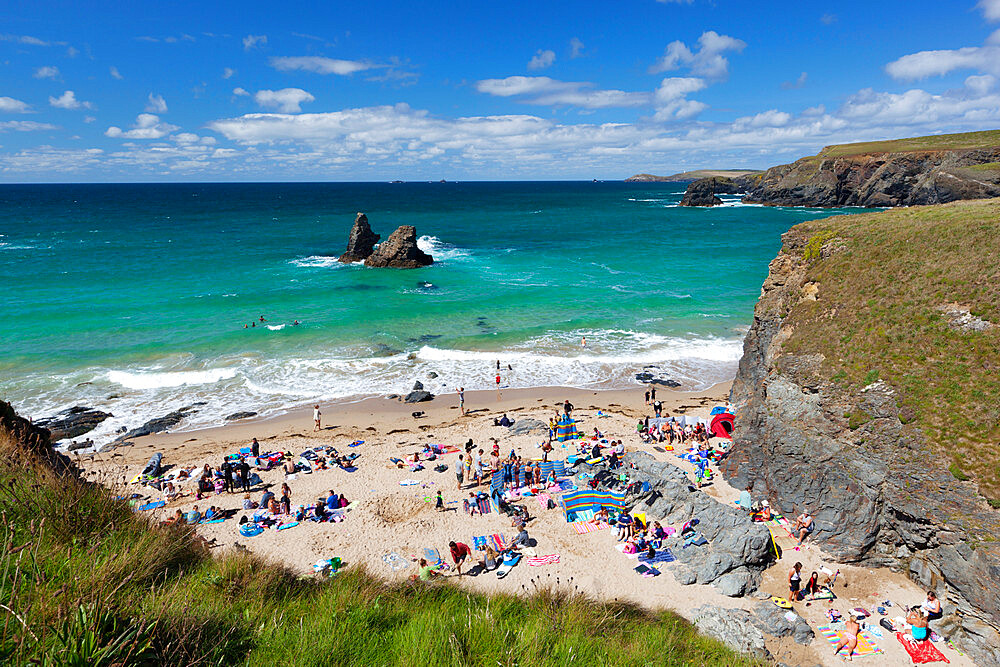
(878, 316)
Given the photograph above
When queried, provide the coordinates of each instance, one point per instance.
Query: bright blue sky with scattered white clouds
(223, 91)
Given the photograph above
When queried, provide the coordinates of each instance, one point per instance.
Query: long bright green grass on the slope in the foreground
(85, 581)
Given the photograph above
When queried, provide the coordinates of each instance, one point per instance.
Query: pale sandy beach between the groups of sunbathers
(390, 517)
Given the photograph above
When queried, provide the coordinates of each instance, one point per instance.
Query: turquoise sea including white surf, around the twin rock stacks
(133, 298)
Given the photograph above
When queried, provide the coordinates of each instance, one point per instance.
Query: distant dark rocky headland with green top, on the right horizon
(880, 179)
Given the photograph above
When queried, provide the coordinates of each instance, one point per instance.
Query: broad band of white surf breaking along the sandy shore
(272, 385)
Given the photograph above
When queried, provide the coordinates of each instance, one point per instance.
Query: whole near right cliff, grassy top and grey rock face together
(868, 393)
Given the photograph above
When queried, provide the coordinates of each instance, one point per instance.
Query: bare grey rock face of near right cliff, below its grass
(879, 494)
